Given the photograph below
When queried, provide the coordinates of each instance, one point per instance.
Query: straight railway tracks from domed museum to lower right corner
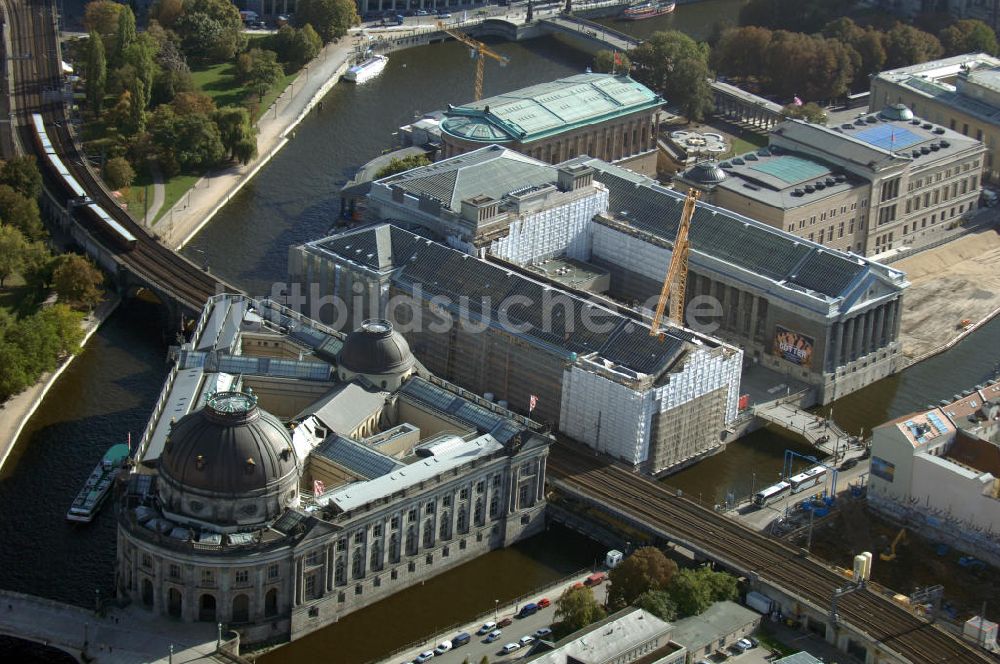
(749, 552)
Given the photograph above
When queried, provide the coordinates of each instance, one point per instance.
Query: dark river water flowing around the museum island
(110, 388)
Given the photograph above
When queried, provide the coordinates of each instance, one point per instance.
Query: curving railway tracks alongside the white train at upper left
(33, 31)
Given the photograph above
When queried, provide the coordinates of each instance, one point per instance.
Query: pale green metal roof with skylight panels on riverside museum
(549, 108)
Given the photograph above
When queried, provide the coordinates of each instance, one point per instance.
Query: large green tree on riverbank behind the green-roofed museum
(676, 66)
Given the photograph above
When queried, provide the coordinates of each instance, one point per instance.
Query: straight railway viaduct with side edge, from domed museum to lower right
(866, 623)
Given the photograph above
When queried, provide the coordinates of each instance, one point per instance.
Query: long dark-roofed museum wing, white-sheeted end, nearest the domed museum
(591, 371)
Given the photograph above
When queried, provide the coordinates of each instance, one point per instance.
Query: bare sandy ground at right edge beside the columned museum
(948, 284)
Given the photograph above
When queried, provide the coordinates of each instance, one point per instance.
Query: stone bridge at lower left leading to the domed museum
(122, 636)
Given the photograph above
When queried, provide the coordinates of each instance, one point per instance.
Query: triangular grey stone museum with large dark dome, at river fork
(290, 475)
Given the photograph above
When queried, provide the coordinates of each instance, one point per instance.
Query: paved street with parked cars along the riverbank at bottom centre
(477, 648)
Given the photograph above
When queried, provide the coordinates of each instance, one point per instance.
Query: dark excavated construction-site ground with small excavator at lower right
(917, 563)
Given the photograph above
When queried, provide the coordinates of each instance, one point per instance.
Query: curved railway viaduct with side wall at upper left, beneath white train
(178, 283)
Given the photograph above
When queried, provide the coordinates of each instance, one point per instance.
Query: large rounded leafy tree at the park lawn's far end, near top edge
(210, 30)
